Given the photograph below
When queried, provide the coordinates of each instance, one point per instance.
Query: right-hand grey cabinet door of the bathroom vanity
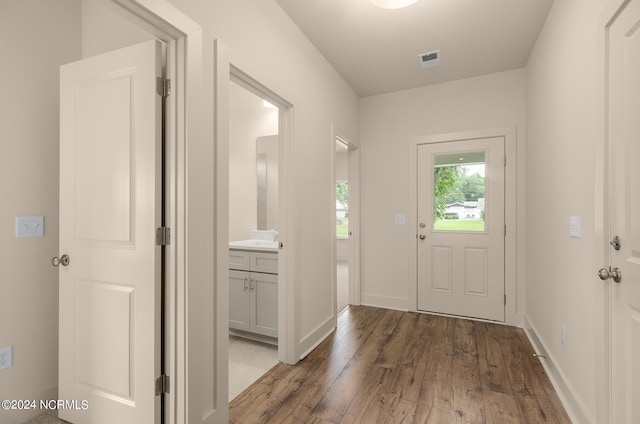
(264, 304)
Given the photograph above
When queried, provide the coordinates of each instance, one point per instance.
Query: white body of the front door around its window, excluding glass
(462, 272)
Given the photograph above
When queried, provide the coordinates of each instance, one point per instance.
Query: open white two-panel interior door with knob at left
(110, 135)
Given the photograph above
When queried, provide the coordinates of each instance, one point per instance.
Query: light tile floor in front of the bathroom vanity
(248, 361)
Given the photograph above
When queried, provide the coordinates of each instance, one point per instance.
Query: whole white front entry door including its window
(460, 234)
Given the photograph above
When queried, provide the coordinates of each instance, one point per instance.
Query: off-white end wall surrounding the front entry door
(387, 122)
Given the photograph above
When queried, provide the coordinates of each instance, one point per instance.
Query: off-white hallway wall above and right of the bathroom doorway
(267, 45)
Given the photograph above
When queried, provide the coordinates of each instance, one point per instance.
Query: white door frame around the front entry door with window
(513, 288)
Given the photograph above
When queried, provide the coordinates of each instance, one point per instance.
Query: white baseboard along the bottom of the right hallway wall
(575, 409)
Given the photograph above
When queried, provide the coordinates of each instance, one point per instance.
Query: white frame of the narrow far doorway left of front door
(353, 158)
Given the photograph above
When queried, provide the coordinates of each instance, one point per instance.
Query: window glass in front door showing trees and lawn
(459, 192)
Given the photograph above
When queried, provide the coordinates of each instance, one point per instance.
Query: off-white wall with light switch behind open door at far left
(38, 36)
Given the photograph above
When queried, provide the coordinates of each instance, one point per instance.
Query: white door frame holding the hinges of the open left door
(183, 38)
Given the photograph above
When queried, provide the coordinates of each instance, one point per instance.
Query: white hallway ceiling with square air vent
(376, 50)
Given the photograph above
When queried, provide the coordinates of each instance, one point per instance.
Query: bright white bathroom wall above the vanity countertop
(248, 120)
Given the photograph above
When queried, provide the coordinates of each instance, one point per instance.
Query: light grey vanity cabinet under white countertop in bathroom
(253, 292)
